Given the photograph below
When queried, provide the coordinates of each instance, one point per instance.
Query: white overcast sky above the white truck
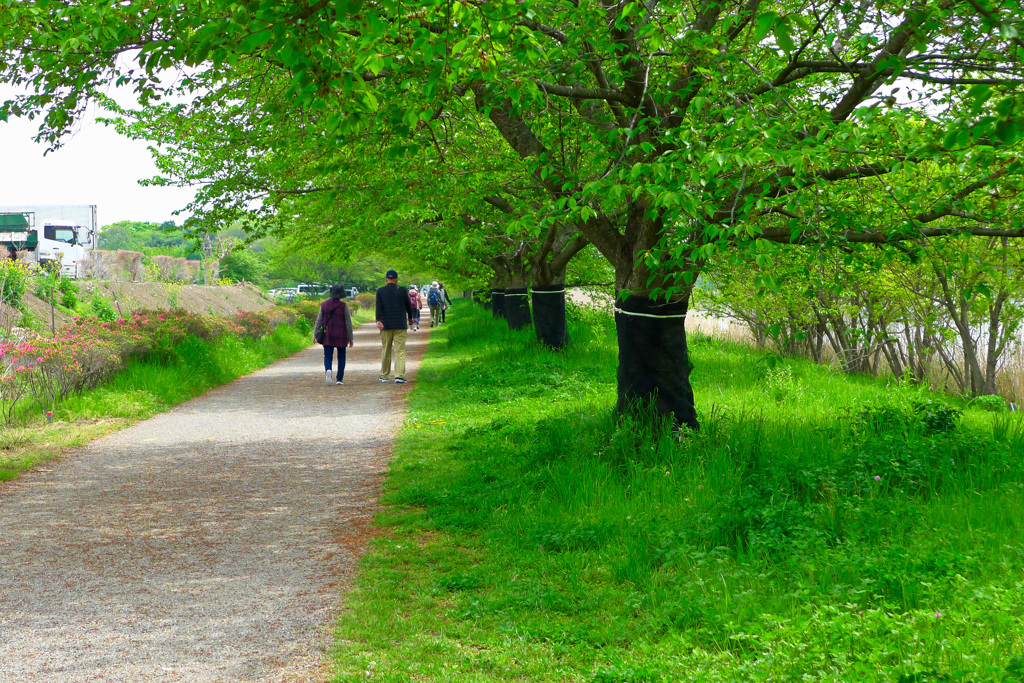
(95, 166)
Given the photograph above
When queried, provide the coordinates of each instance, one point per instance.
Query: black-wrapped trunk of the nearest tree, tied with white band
(654, 364)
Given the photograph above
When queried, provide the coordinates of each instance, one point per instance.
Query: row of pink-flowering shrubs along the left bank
(41, 372)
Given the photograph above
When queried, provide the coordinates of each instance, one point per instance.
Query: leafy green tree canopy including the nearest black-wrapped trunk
(516, 138)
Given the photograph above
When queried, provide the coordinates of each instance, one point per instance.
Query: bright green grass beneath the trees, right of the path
(820, 527)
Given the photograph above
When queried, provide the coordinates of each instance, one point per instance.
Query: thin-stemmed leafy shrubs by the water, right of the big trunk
(946, 313)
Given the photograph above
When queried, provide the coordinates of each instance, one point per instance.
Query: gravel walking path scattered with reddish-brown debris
(210, 543)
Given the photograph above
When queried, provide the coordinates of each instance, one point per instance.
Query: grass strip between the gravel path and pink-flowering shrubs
(147, 385)
